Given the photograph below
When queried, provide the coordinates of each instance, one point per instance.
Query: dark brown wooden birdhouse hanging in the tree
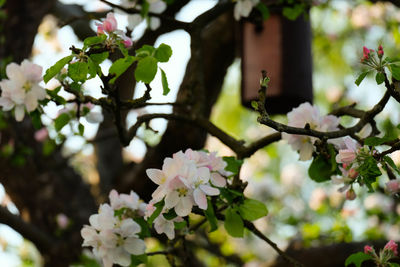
(283, 48)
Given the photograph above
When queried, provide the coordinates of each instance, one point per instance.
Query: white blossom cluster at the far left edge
(21, 90)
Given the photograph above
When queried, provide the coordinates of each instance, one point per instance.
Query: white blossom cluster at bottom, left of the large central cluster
(113, 233)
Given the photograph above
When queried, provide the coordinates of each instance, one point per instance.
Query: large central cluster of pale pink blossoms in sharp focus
(185, 180)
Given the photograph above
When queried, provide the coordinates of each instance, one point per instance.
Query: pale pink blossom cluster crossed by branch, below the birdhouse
(303, 115)
